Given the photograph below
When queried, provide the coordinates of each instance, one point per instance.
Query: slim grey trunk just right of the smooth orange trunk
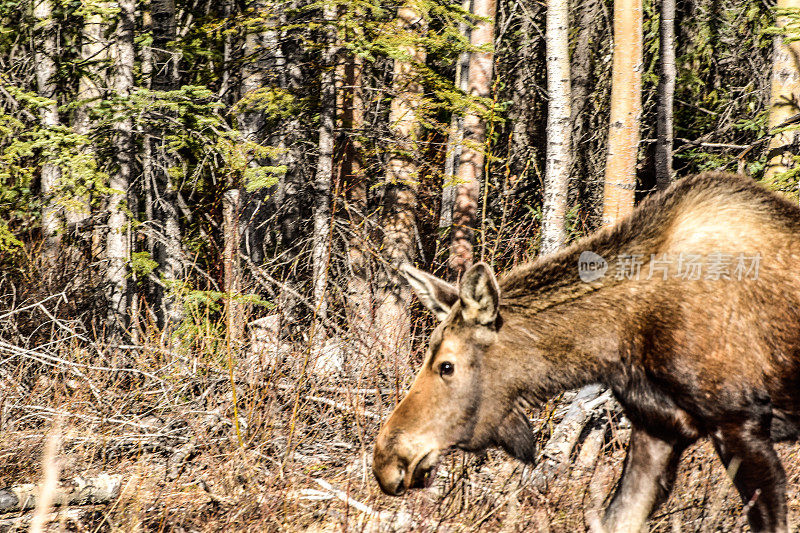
(666, 94)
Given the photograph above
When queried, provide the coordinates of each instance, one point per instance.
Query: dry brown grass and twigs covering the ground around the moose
(165, 423)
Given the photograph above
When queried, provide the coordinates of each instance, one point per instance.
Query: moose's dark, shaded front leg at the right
(747, 451)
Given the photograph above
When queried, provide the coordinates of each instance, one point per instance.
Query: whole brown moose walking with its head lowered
(690, 314)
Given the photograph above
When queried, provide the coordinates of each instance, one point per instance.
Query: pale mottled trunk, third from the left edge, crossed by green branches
(117, 243)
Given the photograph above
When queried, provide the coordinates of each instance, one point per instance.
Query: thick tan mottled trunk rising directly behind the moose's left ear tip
(398, 221)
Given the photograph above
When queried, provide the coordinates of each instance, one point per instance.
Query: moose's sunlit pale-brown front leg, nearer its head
(647, 480)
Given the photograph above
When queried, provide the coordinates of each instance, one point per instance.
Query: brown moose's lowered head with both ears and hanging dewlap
(463, 396)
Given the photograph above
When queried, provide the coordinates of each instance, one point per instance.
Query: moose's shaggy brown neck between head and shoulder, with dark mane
(562, 331)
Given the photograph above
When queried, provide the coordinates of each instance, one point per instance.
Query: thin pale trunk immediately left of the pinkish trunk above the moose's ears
(455, 137)
